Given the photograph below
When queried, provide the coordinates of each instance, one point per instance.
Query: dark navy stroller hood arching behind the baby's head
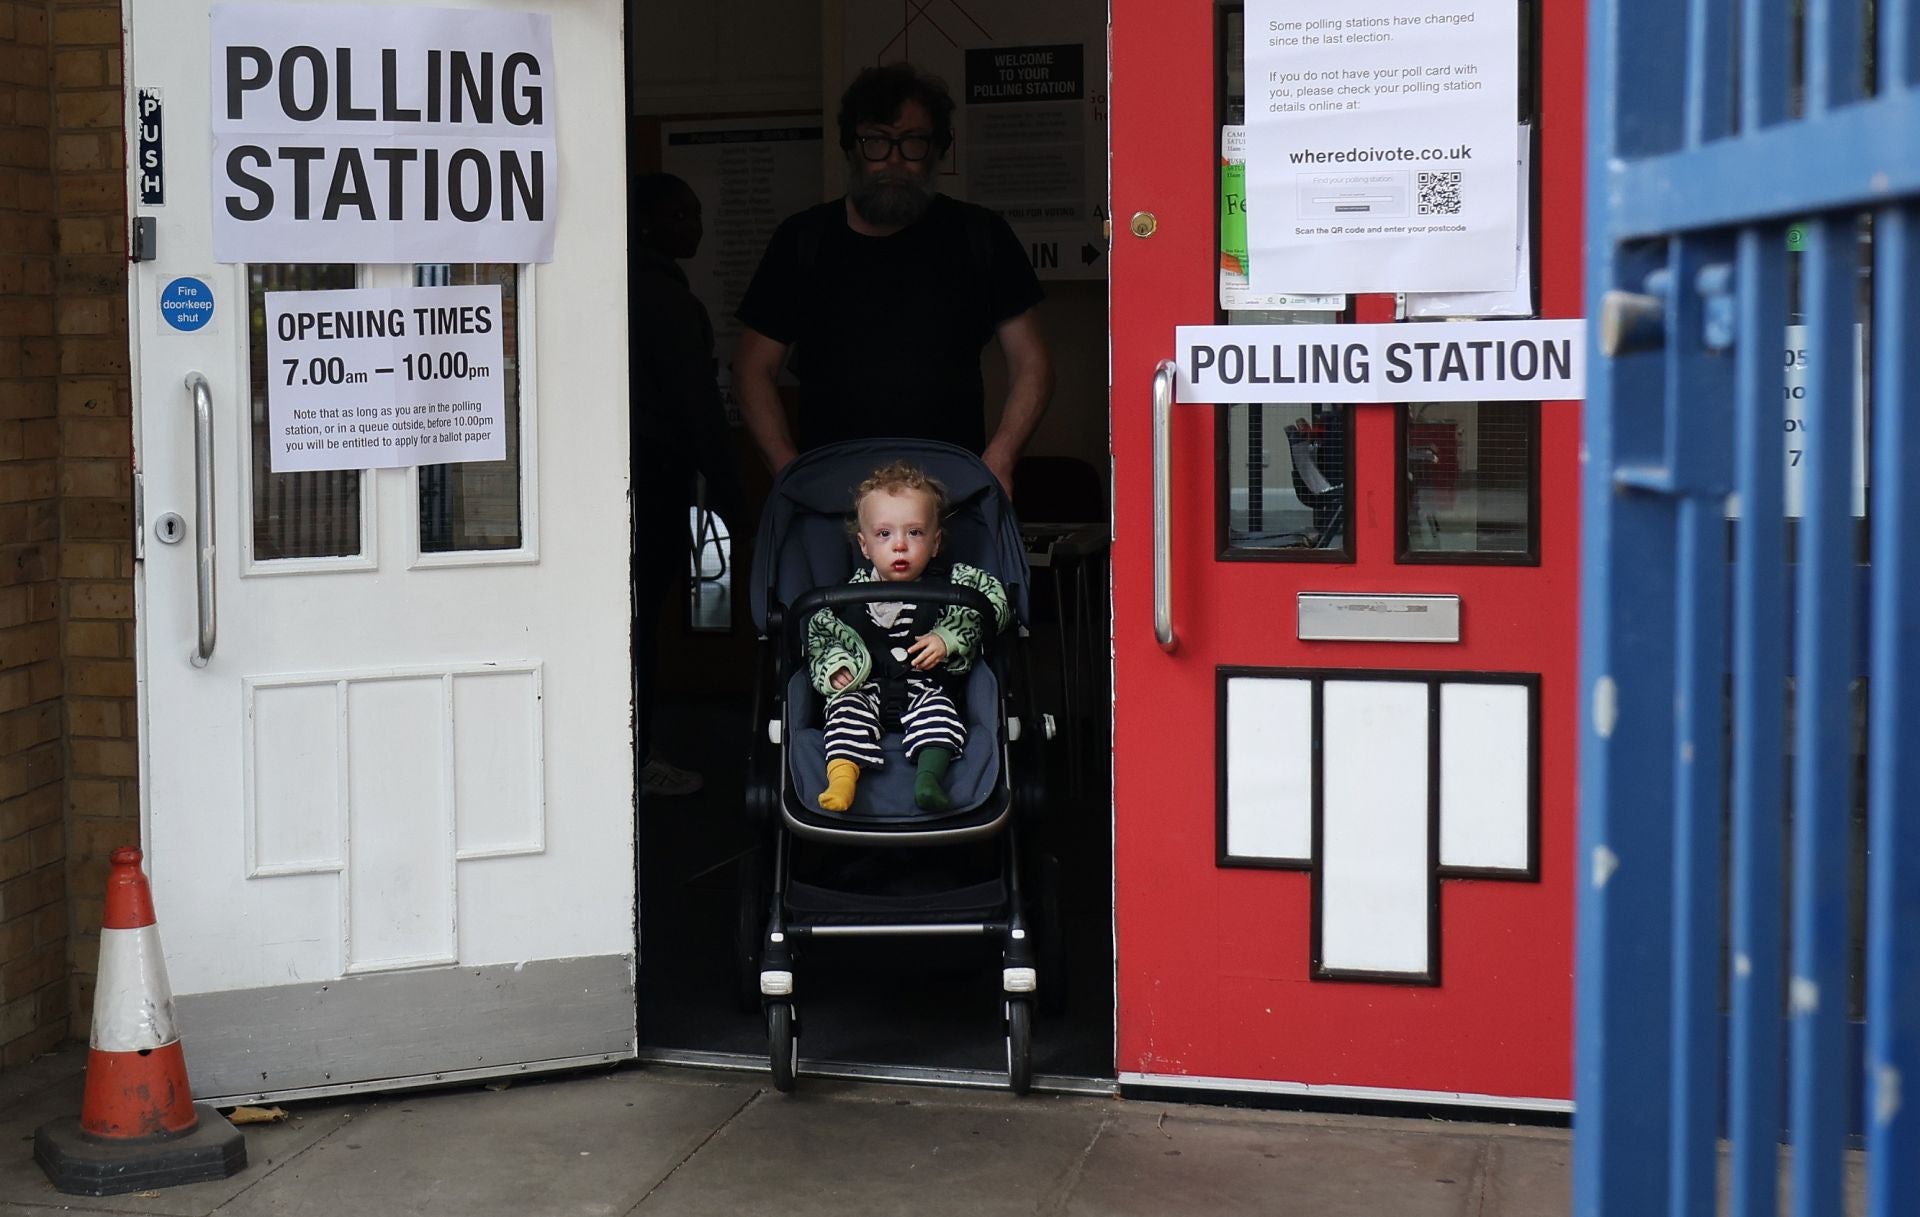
(804, 538)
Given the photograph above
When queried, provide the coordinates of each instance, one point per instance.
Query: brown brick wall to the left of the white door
(68, 759)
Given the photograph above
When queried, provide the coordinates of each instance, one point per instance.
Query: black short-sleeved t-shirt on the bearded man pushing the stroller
(888, 331)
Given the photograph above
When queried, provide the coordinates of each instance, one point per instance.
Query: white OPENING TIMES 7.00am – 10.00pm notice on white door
(385, 377)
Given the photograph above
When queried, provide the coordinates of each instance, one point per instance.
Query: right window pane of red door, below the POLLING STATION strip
(1470, 481)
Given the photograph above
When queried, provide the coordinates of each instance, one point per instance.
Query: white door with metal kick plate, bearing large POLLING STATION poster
(385, 759)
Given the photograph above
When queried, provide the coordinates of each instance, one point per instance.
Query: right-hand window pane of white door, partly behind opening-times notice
(477, 504)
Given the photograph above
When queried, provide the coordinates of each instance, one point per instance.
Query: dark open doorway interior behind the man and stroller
(738, 101)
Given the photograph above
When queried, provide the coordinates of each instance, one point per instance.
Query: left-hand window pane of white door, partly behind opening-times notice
(297, 515)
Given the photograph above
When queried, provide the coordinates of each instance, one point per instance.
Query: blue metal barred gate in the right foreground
(1739, 924)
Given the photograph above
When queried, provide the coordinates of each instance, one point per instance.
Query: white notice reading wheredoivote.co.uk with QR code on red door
(1381, 145)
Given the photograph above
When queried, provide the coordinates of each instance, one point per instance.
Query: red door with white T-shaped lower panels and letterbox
(1216, 961)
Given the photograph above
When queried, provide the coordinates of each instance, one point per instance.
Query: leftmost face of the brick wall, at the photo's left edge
(34, 913)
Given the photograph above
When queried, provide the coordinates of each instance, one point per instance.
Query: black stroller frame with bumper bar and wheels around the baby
(775, 926)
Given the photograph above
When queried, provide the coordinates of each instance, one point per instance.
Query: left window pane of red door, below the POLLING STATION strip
(1287, 481)
